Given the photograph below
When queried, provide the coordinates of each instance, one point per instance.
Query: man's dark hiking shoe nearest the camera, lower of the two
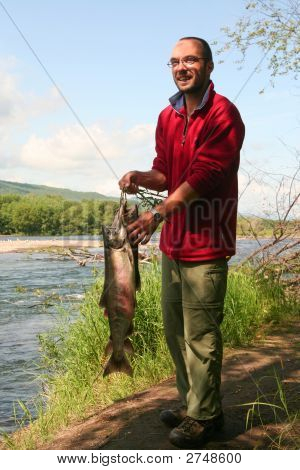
(193, 433)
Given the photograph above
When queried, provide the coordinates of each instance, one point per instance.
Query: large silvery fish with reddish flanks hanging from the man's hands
(122, 279)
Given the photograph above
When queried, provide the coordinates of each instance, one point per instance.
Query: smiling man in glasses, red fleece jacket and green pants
(198, 141)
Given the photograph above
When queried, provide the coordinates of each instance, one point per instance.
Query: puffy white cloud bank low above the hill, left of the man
(71, 149)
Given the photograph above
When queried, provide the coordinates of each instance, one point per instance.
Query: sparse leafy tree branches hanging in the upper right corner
(274, 27)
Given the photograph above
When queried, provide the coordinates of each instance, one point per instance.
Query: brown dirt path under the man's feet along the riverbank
(134, 423)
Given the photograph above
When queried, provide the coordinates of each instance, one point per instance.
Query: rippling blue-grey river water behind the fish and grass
(34, 286)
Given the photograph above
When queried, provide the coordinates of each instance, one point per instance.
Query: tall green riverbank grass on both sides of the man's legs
(72, 354)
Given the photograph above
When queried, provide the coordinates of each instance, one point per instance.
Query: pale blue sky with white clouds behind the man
(108, 59)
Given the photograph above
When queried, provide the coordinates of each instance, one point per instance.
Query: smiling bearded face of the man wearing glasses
(193, 78)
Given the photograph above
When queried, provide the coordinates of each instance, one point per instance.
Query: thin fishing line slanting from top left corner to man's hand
(92, 140)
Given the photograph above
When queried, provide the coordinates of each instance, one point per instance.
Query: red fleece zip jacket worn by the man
(205, 152)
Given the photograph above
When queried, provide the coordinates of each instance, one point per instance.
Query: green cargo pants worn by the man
(192, 302)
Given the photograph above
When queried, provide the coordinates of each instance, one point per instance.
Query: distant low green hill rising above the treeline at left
(8, 187)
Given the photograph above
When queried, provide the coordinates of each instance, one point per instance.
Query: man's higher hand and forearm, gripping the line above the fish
(152, 179)
